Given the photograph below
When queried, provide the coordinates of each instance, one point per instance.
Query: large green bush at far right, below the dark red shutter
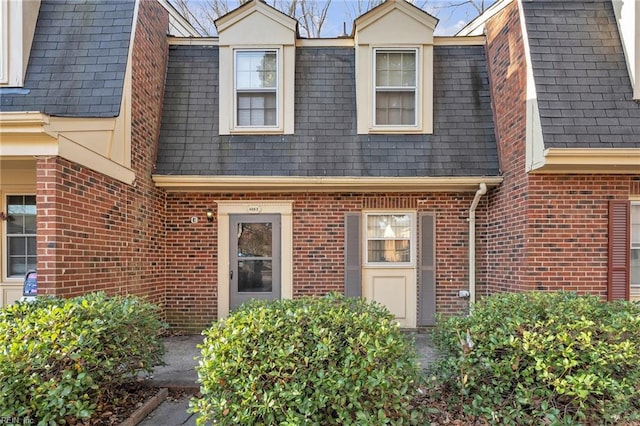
(543, 358)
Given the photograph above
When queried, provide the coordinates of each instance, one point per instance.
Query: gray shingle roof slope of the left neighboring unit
(78, 60)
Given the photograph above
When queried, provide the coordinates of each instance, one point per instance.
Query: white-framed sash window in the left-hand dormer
(256, 88)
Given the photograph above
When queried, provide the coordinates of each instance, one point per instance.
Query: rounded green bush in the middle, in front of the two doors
(322, 361)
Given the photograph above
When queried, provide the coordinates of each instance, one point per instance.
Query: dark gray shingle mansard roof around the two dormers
(325, 141)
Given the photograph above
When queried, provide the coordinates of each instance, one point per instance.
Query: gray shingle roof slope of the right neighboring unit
(582, 82)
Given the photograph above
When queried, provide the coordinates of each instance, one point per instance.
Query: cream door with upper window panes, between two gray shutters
(390, 263)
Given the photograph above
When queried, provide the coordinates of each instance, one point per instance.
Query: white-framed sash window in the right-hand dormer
(395, 87)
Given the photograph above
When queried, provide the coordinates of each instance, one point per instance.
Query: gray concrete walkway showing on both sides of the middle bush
(179, 373)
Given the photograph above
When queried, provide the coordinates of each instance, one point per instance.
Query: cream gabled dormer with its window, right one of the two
(394, 69)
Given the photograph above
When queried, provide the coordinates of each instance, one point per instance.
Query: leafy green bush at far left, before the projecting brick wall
(59, 358)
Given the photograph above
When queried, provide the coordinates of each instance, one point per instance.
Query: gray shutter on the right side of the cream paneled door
(427, 273)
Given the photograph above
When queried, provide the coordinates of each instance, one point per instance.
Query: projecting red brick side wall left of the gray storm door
(96, 233)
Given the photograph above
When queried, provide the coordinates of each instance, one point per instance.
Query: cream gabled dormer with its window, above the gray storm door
(257, 70)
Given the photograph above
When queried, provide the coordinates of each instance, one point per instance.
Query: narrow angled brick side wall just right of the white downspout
(505, 260)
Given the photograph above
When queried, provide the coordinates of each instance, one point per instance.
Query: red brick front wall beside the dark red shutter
(568, 230)
